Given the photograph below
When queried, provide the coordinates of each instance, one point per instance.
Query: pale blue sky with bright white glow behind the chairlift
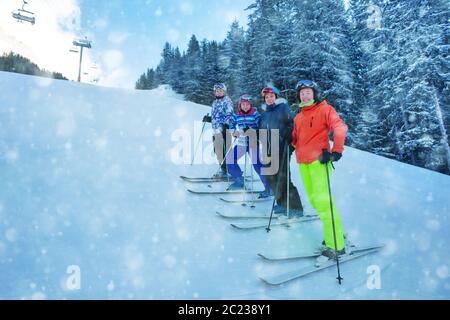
(127, 35)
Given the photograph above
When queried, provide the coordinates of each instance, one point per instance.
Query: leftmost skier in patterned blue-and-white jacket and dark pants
(221, 117)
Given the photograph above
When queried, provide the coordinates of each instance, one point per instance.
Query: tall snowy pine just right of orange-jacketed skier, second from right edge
(374, 70)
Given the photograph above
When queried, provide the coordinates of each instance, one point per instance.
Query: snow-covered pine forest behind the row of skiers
(384, 65)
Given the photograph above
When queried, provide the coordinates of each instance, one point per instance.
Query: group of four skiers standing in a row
(306, 132)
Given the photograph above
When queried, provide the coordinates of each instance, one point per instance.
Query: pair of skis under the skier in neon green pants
(278, 279)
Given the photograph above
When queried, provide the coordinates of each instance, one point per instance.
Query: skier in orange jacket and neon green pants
(312, 127)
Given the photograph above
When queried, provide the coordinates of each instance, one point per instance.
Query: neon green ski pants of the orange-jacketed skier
(314, 177)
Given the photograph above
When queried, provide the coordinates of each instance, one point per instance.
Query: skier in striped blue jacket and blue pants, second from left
(244, 126)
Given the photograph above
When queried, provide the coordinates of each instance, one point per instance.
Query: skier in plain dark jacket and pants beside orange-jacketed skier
(278, 116)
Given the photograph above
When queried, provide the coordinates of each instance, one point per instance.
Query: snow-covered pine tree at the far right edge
(421, 138)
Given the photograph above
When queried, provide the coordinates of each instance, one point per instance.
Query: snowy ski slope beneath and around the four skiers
(86, 179)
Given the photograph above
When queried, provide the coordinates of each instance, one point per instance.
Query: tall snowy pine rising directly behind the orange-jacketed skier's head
(322, 53)
